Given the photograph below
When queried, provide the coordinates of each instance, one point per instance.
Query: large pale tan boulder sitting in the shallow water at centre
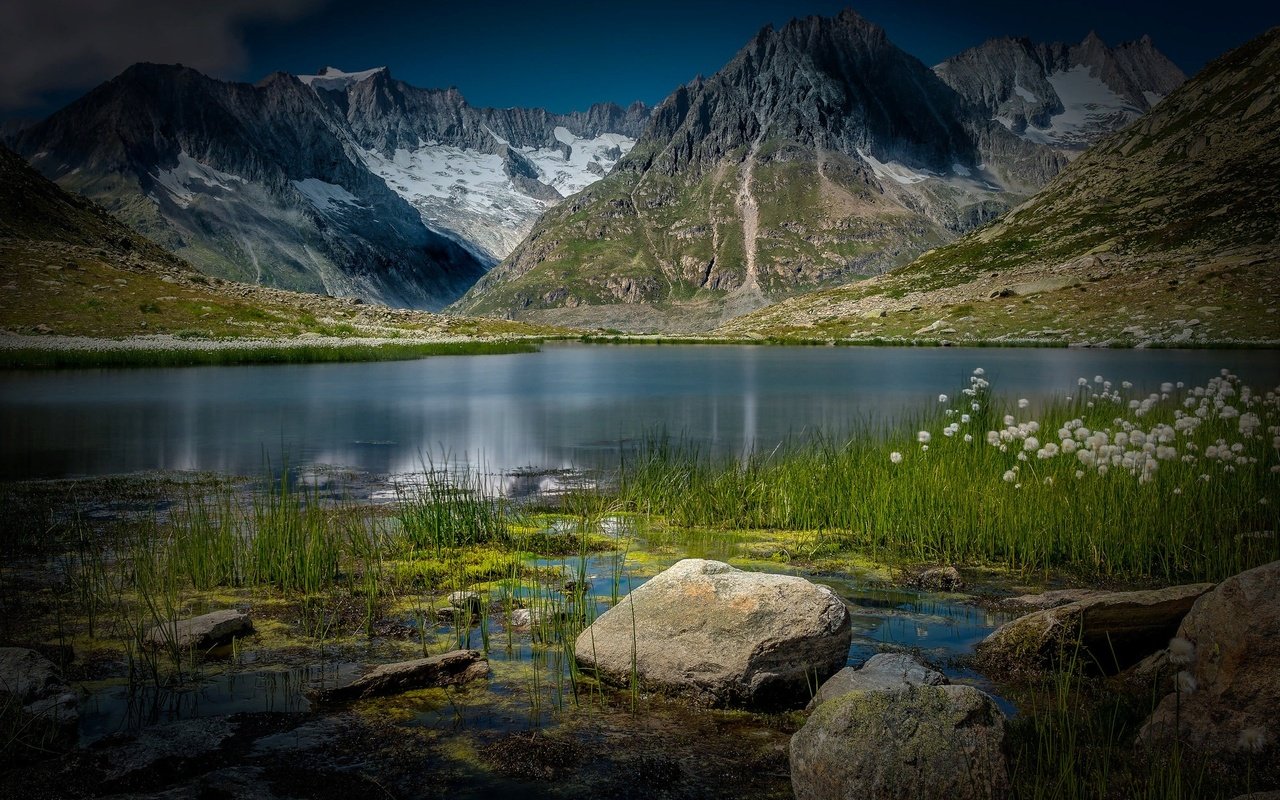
(721, 637)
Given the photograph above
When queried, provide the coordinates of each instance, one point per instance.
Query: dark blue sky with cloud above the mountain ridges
(561, 56)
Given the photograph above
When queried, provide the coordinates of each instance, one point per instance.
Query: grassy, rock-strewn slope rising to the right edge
(1164, 234)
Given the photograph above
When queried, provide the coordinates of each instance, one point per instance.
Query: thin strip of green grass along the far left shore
(45, 359)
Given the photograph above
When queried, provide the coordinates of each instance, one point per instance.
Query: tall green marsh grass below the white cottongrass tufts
(970, 502)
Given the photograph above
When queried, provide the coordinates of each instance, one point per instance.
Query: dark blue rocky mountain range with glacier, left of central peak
(341, 184)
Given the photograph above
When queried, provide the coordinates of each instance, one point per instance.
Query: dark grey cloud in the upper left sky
(58, 45)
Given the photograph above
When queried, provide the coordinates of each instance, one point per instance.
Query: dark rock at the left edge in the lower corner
(38, 707)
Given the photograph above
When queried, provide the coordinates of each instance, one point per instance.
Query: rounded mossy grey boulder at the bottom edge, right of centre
(921, 743)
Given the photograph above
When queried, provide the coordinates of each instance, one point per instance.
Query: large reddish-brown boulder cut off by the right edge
(1236, 632)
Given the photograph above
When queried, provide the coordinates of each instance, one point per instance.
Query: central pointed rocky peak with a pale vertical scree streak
(819, 154)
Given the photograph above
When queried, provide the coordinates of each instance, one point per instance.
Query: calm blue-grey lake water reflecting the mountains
(570, 406)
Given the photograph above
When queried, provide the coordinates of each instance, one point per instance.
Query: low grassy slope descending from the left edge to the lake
(70, 268)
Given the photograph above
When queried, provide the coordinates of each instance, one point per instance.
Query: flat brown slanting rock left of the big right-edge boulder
(1116, 629)
